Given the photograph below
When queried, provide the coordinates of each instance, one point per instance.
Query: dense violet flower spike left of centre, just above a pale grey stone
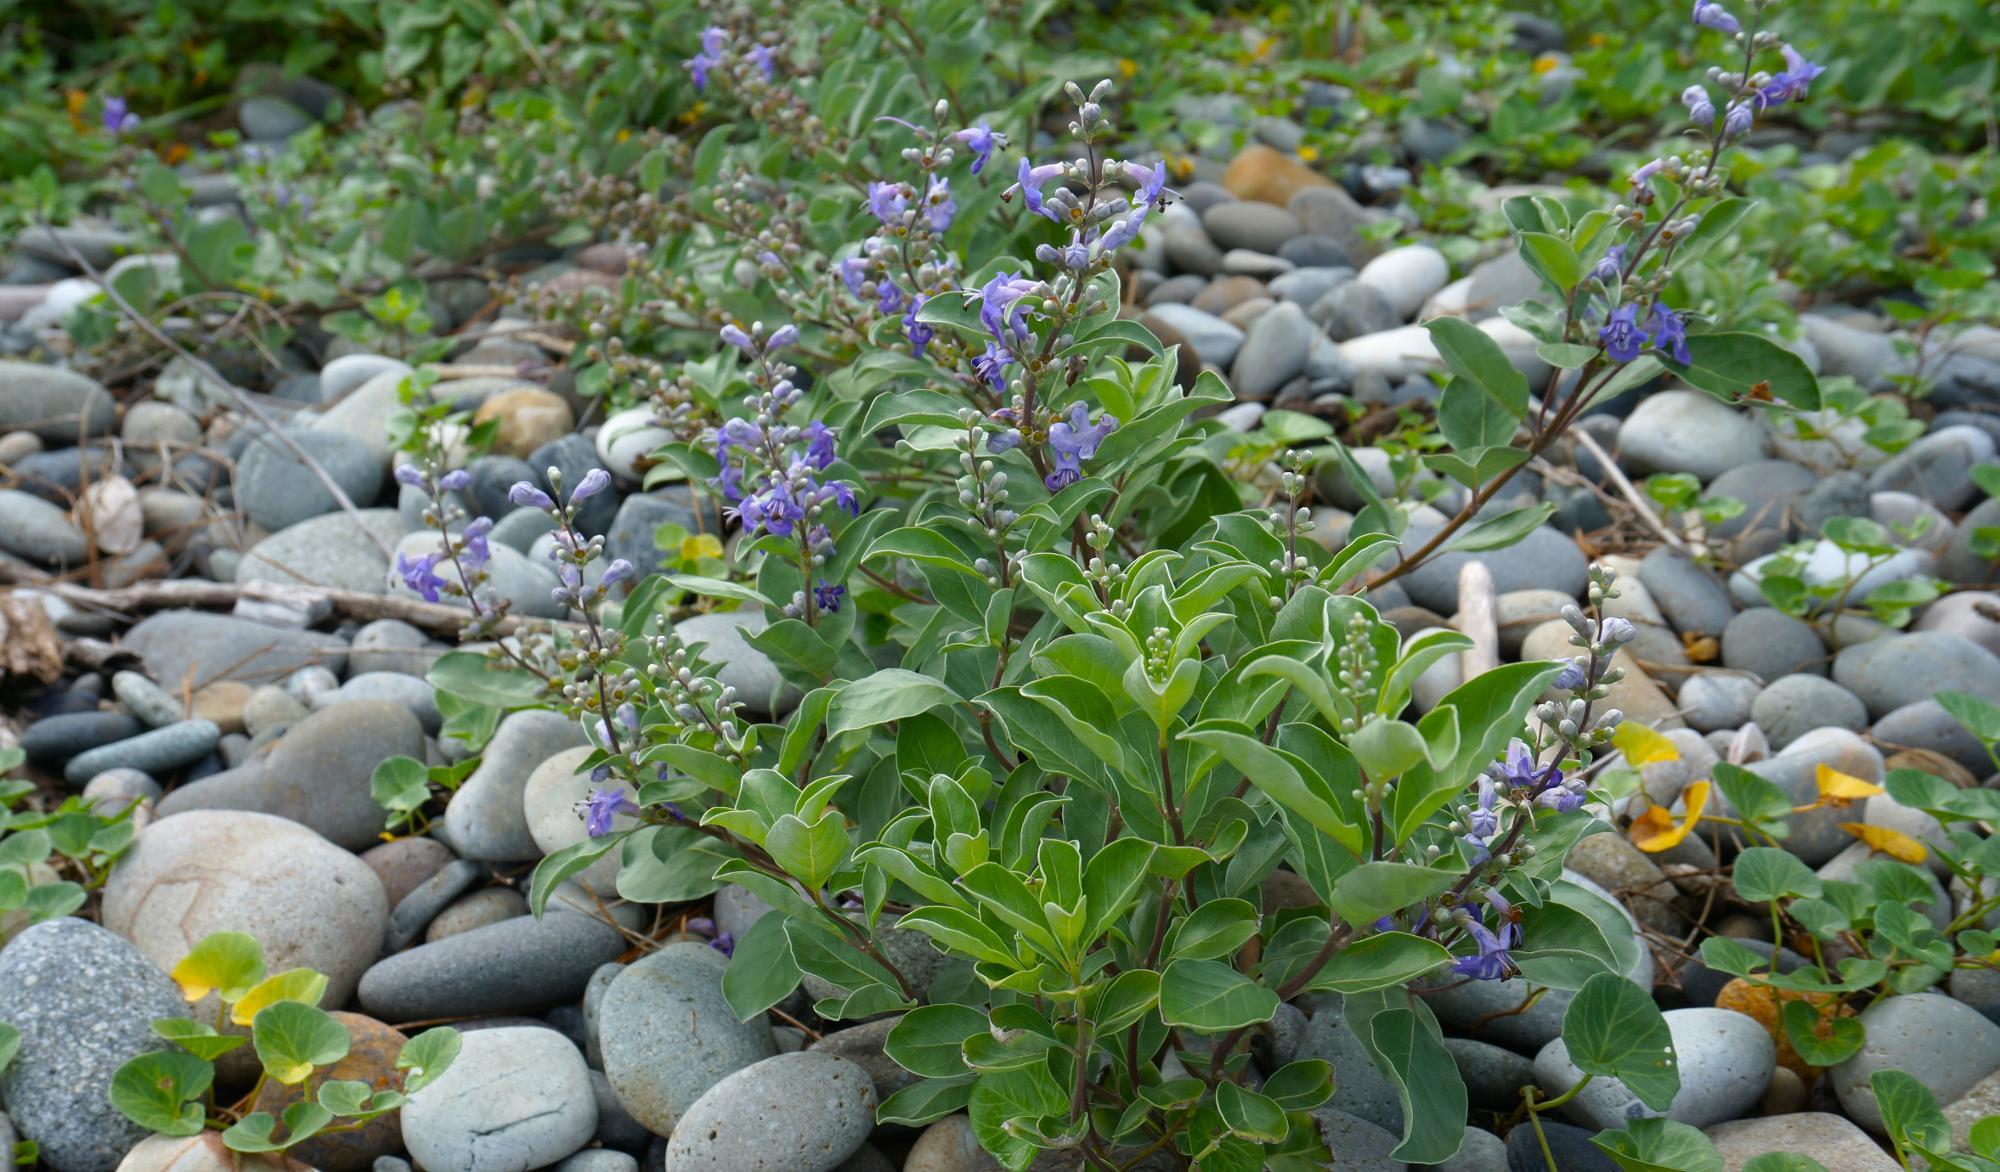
(773, 473)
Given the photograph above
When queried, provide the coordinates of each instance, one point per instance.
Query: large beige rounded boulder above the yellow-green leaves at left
(309, 903)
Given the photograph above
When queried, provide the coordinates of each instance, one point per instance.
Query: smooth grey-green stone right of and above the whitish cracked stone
(669, 1035)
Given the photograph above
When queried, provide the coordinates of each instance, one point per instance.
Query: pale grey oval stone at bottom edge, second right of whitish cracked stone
(789, 1113)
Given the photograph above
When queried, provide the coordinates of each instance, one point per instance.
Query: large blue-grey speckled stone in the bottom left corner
(85, 1003)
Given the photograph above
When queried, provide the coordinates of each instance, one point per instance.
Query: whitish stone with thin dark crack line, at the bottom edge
(515, 1099)
